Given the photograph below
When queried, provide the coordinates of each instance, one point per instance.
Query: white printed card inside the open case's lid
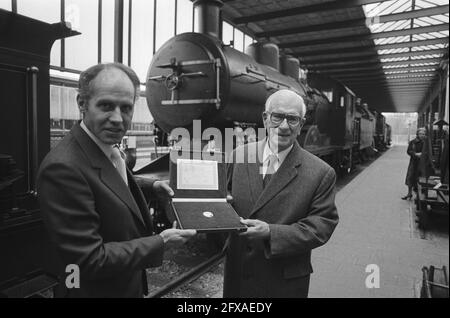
(197, 174)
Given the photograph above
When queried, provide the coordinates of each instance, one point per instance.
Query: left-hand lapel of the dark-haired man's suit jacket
(107, 173)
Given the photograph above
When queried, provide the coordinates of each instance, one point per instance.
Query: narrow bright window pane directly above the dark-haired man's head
(107, 31)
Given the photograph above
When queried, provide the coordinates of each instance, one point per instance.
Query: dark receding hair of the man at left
(87, 76)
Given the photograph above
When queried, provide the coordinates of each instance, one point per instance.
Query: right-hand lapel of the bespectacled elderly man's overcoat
(284, 175)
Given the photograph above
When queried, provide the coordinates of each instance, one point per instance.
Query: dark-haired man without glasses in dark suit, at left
(93, 209)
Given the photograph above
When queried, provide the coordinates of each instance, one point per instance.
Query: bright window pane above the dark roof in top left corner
(46, 10)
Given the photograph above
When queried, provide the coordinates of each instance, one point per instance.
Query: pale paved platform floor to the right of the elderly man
(377, 227)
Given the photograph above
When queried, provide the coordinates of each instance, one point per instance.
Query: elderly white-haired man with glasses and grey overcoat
(285, 196)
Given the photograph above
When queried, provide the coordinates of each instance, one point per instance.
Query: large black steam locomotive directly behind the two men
(195, 76)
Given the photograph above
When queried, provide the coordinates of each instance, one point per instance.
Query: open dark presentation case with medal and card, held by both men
(199, 180)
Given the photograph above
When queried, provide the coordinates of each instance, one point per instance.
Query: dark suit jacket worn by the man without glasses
(95, 220)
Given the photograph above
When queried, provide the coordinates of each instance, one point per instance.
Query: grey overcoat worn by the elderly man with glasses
(298, 204)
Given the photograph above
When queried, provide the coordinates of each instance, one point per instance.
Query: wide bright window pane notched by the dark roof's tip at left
(81, 50)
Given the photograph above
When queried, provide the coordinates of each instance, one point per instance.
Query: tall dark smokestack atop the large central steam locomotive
(207, 15)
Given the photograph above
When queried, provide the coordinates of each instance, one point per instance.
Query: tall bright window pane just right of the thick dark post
(142, 37)
